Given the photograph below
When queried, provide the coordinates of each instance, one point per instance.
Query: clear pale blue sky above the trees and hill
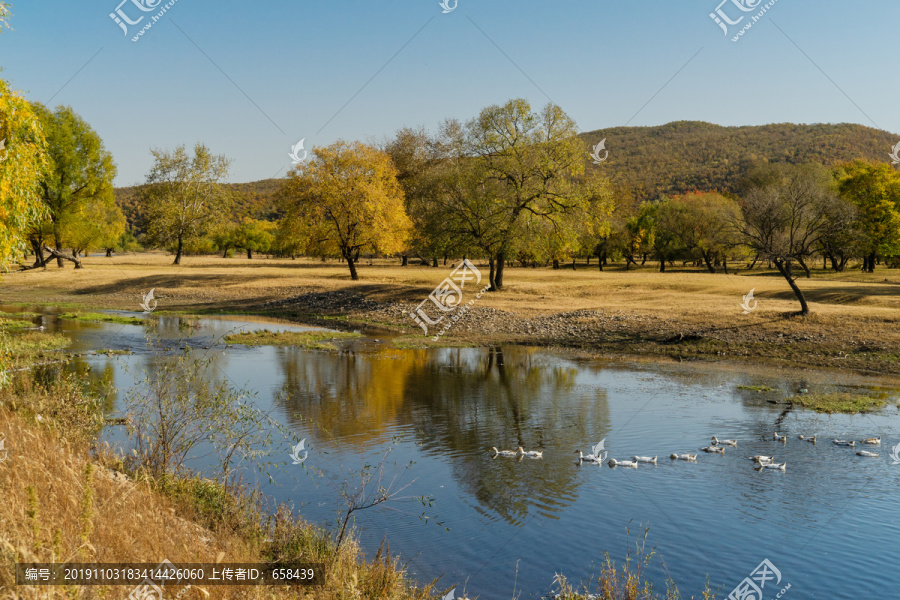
(249, 79)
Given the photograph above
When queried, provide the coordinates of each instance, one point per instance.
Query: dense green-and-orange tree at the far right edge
(875, 191)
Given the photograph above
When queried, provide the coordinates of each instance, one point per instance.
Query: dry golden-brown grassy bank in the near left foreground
(63, 503)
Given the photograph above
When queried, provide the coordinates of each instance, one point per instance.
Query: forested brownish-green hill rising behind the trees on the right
(688, 155)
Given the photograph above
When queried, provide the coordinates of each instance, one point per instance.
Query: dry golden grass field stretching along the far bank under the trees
(683, 313)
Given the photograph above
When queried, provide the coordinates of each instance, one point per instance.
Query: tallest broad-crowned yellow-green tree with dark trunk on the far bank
(511, 165)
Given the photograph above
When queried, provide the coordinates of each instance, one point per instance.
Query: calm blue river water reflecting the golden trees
(830, 523)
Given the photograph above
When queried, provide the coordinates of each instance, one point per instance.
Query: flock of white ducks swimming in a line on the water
(716, 446)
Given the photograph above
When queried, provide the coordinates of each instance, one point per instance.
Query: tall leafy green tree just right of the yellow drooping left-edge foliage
(78, 186)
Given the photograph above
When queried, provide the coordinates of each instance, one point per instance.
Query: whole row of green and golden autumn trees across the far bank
(510, 186)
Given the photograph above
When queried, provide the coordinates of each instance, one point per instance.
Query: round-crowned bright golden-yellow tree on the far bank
(346, 199)
